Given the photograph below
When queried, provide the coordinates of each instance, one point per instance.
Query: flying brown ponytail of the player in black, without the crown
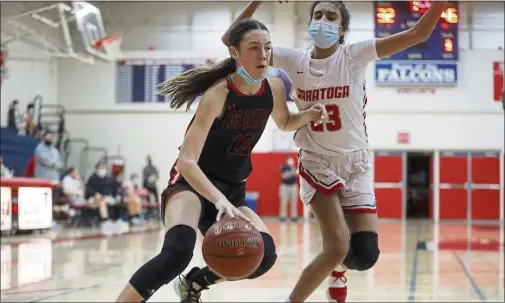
(185, 88)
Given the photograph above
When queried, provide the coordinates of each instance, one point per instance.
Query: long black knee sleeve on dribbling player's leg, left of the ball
(175, 255)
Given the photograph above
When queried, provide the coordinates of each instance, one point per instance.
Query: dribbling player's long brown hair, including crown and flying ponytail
(184, 88)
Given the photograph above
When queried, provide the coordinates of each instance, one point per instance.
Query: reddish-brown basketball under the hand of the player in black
(233, 248)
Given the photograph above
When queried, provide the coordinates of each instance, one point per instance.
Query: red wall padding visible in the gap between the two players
(266, 178)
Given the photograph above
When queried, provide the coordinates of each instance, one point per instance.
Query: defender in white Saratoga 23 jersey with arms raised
(334, 158)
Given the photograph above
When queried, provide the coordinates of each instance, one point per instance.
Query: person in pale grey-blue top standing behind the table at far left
(47, 160)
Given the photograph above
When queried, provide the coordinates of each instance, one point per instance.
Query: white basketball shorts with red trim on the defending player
(348, 175)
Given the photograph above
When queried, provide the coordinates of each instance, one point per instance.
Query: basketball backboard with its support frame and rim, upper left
(59, 30)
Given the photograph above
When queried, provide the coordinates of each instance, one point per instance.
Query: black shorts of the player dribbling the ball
(235, 193)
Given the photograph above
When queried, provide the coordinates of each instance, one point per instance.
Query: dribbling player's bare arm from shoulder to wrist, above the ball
(208, 110)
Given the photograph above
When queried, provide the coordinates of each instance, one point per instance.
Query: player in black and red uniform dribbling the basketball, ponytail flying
(208, 178)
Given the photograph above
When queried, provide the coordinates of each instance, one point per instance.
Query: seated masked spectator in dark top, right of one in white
(102, 190)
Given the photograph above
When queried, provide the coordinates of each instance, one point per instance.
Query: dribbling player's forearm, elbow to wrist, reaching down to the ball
(190, 170)
